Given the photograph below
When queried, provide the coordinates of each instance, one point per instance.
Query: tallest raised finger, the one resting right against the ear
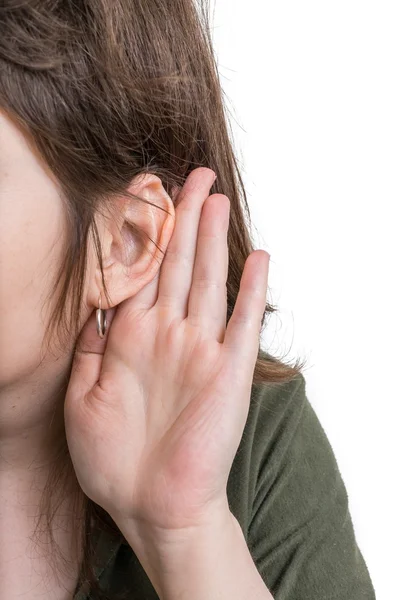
(177, 266)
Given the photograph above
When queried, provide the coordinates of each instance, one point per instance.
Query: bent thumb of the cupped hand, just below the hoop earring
(88, 356)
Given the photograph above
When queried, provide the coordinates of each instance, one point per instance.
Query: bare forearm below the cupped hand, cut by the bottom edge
(209, 563)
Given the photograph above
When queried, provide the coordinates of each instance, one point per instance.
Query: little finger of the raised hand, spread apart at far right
(242, 335)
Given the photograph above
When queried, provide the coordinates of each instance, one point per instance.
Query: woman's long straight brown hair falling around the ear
(106, 91)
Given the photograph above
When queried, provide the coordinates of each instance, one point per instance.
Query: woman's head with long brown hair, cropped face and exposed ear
(106, 107)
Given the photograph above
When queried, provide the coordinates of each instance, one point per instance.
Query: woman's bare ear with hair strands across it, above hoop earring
(131, 261)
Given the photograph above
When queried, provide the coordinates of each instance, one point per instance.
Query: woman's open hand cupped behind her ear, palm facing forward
(155, 411)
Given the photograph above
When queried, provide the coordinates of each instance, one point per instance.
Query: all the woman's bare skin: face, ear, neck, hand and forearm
(179, 546)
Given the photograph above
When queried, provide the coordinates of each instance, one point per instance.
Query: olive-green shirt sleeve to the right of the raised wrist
(301, 534)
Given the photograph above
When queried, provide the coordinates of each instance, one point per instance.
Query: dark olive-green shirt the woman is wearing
(286, 491)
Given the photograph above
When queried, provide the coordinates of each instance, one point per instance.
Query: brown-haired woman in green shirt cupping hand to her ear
(149, 448)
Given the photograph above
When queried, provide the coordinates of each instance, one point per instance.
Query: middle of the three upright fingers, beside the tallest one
(207, 306)
